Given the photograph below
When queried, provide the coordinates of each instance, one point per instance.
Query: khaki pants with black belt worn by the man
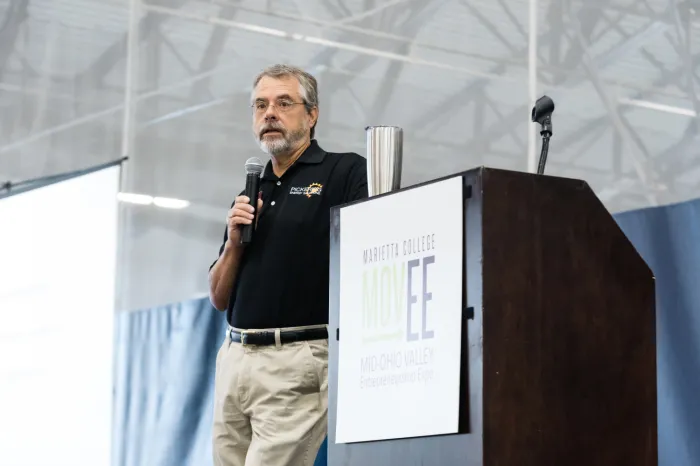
(270, 403)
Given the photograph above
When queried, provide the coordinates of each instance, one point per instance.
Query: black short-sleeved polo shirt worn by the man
(283, 275)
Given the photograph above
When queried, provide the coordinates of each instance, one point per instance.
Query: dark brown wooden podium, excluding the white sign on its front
(558, 347)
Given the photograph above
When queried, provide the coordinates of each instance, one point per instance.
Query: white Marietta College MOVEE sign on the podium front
(401, 281)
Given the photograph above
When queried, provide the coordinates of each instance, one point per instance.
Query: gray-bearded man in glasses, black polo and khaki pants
(271, 386)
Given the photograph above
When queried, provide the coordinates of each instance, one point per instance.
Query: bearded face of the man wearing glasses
(280, 120)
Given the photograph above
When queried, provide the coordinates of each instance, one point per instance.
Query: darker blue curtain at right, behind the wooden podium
(669, 240)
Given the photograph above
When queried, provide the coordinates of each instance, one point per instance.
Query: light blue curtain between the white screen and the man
(164, 384)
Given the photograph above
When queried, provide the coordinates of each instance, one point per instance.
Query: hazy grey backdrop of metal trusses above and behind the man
(167, 83)
